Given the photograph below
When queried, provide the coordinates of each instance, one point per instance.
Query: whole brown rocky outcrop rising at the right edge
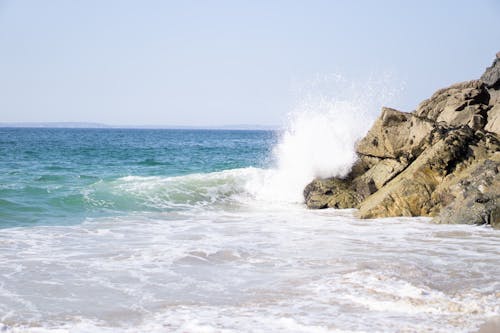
(441, 160)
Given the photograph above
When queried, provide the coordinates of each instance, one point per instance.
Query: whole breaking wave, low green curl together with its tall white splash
(317, 140)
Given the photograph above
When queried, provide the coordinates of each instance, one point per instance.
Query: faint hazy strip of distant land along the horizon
(98, 125)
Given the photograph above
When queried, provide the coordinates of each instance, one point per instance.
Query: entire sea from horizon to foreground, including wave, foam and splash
(135, 230)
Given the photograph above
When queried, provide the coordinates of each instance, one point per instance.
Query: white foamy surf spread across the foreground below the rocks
(266, 269)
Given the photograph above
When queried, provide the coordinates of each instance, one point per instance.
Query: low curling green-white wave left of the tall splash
(133, 193)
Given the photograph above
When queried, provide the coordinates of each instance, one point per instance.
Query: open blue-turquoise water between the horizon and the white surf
(63, 176)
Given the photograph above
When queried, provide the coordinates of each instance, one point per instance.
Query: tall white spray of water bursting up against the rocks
(319, 138)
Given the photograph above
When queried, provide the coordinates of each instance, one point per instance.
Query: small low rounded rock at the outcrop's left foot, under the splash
(330, 193)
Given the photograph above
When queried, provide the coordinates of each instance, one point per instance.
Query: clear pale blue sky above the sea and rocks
(214, 63)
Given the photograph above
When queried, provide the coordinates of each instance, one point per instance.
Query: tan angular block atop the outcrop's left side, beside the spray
(395, 134)
